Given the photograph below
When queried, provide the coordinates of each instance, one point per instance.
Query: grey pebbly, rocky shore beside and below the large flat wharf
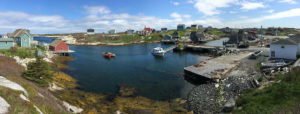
(220, 97)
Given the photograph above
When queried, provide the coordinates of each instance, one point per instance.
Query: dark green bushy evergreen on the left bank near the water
(39, 72)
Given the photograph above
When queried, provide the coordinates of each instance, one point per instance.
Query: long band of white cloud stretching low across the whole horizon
(102, 22)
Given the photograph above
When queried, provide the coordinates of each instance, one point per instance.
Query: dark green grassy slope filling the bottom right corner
(281, 97)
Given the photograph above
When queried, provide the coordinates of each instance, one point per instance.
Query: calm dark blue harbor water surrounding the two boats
(134, 66)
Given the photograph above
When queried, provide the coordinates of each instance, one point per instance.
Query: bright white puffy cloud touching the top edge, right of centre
(209, 7)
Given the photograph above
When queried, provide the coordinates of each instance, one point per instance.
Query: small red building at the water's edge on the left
(59, 47)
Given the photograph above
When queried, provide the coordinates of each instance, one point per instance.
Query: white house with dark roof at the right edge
(286, 49)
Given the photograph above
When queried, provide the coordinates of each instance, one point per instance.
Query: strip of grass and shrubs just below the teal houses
(21, 52)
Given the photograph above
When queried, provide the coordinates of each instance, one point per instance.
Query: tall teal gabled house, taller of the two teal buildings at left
(21, 37)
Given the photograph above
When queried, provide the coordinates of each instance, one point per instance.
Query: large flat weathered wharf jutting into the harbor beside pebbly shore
(214, 68)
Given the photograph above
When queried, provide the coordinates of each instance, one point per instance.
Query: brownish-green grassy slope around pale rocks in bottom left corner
(12, 71)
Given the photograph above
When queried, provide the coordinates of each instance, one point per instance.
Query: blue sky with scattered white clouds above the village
(70, 16)
